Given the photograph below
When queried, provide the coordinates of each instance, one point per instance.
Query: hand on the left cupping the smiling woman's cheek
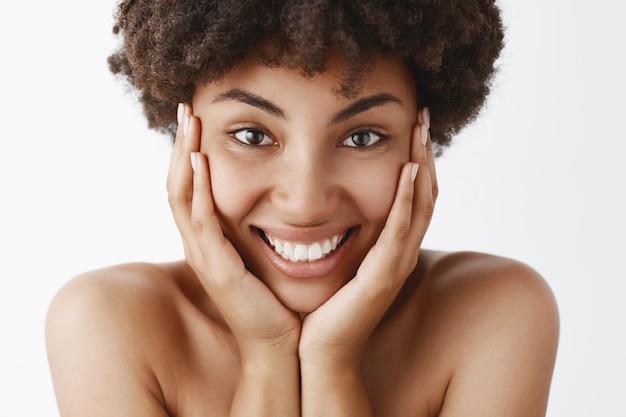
(259, 322)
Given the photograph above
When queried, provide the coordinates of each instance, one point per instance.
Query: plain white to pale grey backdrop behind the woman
(538, 177)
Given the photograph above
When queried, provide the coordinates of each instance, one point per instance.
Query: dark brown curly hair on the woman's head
(450, 46)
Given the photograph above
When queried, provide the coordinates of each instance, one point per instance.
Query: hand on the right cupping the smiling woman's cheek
(339, 329)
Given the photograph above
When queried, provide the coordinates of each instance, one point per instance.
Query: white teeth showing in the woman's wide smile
(300, 252)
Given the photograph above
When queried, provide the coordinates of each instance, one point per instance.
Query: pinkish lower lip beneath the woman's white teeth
(308, 270)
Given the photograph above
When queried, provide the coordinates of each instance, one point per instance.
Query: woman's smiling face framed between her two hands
(303, 178)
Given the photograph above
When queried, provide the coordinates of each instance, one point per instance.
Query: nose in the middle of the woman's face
(306, 191)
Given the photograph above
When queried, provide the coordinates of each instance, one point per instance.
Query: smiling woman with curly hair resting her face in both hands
(303, 181)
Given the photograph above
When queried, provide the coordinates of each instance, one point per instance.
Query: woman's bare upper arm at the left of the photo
(98, 367)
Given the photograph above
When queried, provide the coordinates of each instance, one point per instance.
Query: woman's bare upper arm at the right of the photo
(507, 342)
